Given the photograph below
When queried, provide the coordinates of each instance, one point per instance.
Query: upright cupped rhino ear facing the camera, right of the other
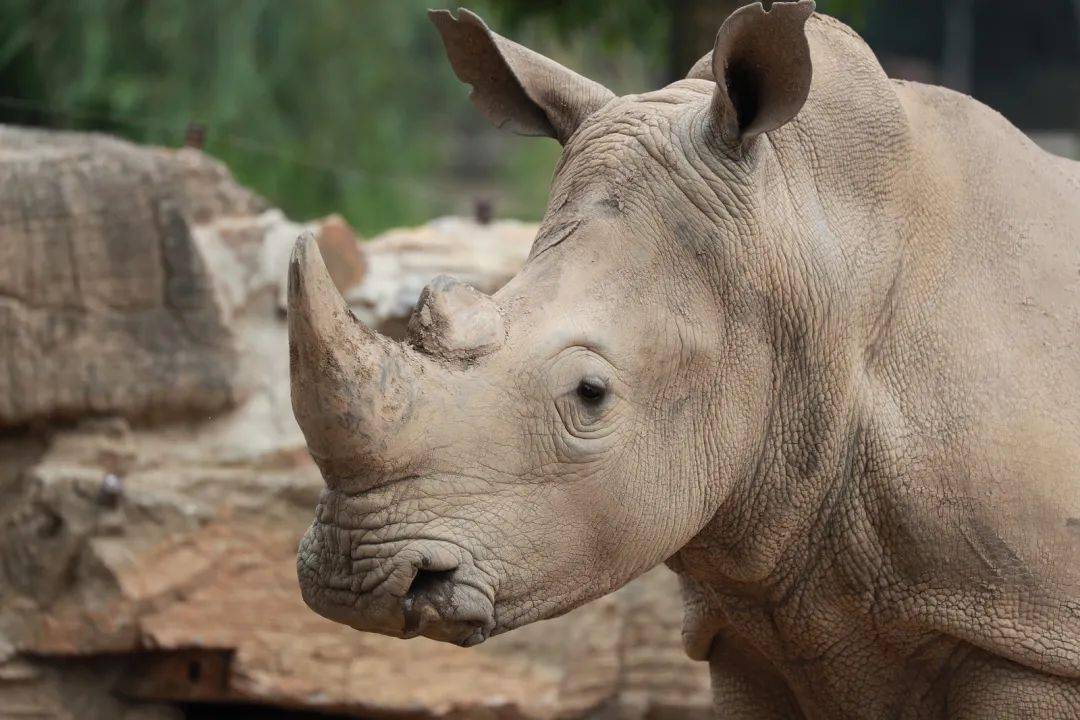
(762, 66)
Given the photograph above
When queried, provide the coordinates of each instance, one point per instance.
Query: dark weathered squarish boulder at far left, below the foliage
(106, 305)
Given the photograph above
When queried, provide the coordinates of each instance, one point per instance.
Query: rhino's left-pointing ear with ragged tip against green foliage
(515, 87)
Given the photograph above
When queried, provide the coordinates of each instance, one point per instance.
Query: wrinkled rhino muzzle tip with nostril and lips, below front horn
(403, 587)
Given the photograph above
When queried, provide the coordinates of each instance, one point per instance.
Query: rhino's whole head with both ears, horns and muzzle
(522, 454)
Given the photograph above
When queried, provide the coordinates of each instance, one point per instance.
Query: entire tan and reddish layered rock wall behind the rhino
(146, 567)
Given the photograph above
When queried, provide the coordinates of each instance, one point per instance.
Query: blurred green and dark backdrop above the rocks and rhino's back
(349, 106)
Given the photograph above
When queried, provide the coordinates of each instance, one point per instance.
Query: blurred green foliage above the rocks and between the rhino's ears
(322, 106)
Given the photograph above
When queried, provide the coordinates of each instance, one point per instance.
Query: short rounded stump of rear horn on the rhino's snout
(456, 322)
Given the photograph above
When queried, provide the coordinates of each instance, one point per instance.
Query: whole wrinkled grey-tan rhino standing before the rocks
(815, 344)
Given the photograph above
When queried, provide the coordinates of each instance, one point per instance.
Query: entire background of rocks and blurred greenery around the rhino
(158, 159)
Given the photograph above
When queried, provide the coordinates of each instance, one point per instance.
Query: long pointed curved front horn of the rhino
(352, 387)
